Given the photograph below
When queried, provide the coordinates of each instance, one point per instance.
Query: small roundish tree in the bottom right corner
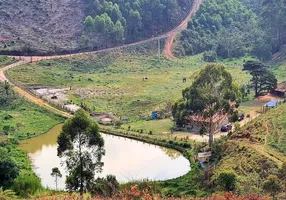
(272, 185)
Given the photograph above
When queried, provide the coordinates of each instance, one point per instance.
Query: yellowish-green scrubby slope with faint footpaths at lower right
(256, 151)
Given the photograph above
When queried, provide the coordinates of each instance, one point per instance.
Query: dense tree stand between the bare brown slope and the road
(119, 21)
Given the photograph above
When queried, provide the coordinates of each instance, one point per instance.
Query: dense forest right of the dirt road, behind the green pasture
(229, 28)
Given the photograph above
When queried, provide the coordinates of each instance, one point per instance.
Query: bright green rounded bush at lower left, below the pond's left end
(26, 184)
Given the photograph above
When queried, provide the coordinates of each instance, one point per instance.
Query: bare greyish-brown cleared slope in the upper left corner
(40, 26)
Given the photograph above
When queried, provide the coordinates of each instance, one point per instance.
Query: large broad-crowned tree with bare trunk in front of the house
(208, 100)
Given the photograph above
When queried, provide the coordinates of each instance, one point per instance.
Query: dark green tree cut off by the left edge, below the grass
(9, 169)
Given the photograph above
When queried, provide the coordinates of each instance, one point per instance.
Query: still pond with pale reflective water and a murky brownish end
(127, 159)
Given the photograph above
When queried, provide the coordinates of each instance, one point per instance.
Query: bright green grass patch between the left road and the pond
(21, 119)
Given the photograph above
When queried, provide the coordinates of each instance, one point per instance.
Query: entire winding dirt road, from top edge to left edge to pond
(170, 35)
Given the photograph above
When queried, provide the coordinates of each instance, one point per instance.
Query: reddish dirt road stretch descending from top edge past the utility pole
(184, 25)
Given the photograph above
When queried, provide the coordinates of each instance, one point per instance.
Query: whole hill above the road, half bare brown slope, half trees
(53, 26)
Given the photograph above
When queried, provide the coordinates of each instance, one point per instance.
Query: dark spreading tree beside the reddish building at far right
(262, 79)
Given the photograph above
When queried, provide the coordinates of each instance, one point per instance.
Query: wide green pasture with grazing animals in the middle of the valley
(113, 82)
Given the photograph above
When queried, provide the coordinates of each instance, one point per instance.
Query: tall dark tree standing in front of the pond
(83, 147)
